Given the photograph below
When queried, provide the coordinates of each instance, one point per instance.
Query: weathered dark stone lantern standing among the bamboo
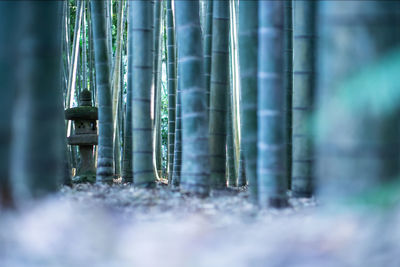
(85, 136)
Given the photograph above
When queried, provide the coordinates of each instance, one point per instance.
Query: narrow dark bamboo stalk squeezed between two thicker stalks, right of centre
(288, 82)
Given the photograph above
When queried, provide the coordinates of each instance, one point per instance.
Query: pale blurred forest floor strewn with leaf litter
(122, 226)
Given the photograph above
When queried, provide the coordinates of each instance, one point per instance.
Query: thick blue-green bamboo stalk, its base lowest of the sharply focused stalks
(271, 171)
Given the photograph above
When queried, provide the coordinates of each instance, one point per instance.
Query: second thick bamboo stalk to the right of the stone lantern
(141, 61)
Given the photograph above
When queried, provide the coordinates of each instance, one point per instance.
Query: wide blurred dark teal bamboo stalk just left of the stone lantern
(37, 160)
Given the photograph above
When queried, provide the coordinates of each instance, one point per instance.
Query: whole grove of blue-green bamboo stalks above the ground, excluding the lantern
(203, 96)
